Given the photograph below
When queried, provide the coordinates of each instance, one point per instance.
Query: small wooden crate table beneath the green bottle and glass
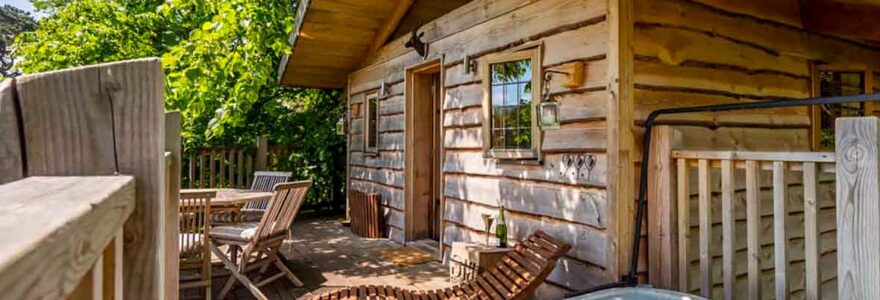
(467, 260)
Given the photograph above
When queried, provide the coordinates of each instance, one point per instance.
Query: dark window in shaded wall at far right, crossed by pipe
(831, 84)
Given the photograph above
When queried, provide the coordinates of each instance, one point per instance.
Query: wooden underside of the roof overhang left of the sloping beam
(333, 38)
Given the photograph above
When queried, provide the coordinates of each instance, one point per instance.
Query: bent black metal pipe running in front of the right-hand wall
(631, 278)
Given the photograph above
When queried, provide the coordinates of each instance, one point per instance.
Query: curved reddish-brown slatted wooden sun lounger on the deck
(515, 277)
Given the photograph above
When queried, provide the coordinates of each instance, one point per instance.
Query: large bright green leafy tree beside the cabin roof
(220, 59)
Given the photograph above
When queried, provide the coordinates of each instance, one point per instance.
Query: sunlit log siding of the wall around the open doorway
(565, 201)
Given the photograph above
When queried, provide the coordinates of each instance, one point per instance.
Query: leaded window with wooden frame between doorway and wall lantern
(511, 94)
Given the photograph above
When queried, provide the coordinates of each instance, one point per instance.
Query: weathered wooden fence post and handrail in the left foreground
(102, 124)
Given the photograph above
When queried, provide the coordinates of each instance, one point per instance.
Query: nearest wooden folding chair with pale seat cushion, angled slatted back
(260, 242)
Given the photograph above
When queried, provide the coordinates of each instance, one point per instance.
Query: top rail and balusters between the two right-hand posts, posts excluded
(726, 165)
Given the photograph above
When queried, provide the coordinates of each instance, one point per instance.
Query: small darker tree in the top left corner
(12, 22)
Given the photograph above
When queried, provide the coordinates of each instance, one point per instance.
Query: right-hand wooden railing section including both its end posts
(742, 224)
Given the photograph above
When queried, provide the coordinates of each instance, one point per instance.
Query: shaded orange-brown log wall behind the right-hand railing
(700, 52)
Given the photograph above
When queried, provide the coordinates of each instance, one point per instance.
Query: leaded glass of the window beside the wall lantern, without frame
(511, 101)
